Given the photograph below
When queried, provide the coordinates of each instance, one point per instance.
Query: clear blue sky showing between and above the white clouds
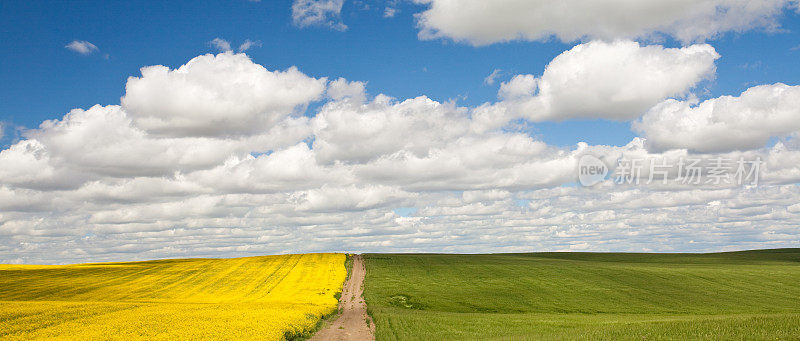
(43, 80)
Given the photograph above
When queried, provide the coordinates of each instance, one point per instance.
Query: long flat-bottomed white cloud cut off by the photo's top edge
(480, 22)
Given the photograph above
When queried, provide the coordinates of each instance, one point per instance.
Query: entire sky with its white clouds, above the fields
(207, 152)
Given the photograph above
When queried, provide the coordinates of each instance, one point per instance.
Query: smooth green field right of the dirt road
(738, 295)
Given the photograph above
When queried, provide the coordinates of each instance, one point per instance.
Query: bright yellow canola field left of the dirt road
(241, 298)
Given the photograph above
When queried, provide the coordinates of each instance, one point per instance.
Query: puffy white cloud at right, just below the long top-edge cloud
(617, 80)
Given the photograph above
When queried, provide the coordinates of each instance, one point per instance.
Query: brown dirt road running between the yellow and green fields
(352, 322)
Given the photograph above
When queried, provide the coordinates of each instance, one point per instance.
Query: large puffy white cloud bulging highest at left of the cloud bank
(222, 95)
